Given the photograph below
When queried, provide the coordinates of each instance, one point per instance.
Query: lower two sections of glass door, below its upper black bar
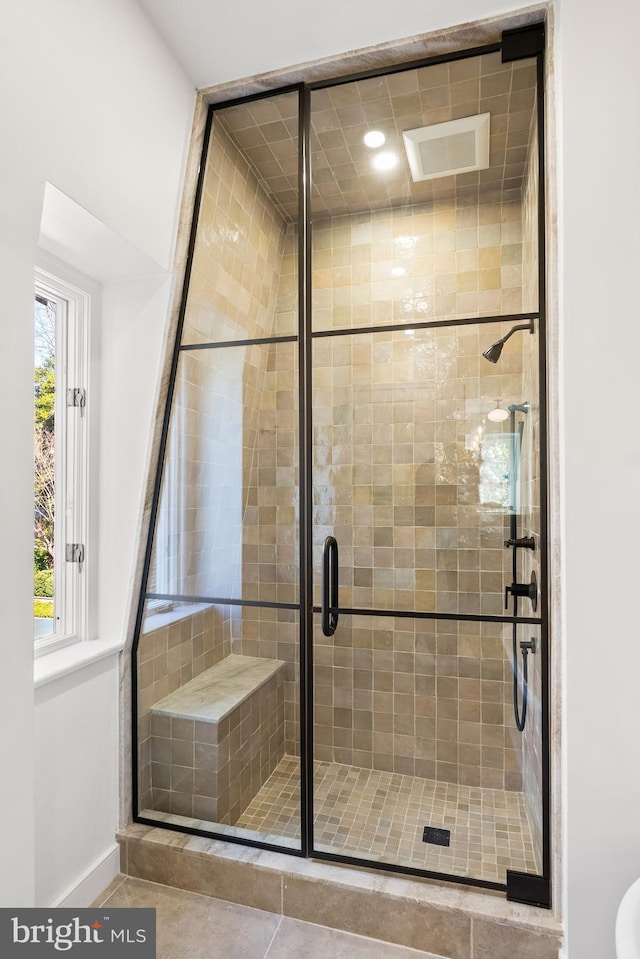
(413, 717)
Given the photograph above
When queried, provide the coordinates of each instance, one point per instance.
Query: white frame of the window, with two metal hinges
(72, 438)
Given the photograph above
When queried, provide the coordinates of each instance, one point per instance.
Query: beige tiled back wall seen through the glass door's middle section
(398, 455)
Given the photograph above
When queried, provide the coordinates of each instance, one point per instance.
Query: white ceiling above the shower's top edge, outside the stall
(216, 41)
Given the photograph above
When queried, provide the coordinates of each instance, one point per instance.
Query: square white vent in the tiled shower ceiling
(444, 149)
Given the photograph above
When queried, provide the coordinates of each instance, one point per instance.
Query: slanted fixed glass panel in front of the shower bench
(219, 661)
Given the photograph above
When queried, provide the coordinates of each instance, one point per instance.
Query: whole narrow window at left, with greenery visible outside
(61, 313)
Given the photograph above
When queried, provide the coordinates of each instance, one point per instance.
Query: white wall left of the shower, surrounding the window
(91, 101)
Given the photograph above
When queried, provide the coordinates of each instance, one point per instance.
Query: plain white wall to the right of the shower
(600, 244)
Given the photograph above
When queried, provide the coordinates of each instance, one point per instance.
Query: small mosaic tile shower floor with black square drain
(381, 815)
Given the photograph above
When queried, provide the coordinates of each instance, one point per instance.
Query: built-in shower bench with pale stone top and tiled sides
(217, 739)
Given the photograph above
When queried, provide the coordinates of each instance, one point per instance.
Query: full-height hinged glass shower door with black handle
(427, 648)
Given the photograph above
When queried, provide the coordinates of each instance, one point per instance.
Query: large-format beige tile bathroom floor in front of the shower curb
(191, 926)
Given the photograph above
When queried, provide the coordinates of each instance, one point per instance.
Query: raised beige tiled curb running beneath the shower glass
(447, 920)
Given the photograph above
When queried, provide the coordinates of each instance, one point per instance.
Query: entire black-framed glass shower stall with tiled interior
(341, 645)
